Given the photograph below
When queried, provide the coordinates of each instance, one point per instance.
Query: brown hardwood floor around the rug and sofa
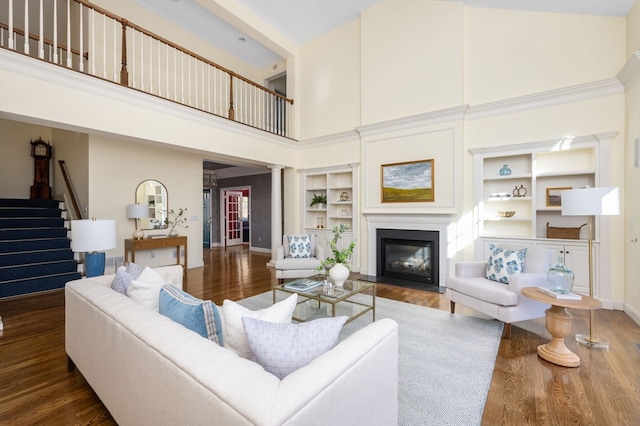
(35, 387)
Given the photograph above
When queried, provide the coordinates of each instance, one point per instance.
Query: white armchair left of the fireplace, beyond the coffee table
(288, 267)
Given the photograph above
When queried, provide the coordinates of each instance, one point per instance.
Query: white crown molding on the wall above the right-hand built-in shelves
(546, 99)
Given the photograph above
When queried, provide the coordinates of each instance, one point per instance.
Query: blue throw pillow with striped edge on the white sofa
(198, 315)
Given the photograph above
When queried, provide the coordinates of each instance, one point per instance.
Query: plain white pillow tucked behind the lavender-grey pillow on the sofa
(234, 337)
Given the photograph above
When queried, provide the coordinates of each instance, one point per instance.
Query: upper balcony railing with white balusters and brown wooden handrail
(80, 36)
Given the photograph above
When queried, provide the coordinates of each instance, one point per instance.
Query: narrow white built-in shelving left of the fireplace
(339, 184)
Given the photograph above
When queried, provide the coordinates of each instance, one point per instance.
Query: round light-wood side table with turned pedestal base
(558, 323)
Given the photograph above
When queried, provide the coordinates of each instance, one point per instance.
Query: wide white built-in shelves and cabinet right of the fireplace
(538, 172)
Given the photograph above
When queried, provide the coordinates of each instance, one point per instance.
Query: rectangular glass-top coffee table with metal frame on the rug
(353, 300)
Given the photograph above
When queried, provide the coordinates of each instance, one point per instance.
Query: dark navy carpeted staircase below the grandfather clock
(35, 253)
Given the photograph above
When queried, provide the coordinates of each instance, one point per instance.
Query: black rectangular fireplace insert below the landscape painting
(408, 257)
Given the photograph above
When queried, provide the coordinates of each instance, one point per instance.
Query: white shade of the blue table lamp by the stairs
(93, 235)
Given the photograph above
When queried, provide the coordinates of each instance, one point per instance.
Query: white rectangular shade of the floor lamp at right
(603, 201)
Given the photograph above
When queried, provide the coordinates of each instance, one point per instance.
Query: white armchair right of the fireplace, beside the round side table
(504, 302)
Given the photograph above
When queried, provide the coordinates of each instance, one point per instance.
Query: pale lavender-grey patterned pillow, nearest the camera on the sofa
(283, 348)
